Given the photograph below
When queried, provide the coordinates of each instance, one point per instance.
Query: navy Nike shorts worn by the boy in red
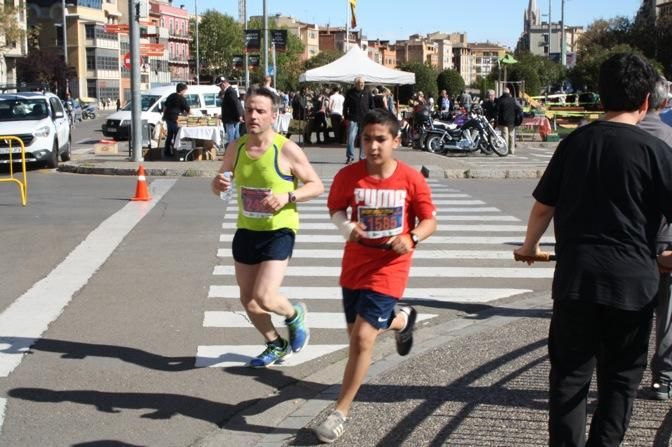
(374, 307)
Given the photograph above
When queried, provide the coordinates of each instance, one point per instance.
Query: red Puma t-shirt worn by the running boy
(388, 207)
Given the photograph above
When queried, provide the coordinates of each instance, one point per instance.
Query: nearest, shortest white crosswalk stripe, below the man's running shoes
(227, 356)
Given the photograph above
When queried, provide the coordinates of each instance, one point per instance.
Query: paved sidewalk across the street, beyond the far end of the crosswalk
(327, 160)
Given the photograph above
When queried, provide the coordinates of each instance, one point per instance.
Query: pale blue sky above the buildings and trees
(494, 20)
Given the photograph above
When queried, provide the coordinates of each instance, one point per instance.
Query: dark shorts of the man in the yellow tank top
(254, 247)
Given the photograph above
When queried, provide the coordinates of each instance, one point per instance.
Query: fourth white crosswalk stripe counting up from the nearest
(417, 272)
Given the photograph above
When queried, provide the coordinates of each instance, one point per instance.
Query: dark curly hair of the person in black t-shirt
(625, 80)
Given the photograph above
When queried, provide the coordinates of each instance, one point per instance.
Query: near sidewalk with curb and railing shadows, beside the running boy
(481, 380)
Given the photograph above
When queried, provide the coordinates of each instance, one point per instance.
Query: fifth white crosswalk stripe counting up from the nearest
(420, 253)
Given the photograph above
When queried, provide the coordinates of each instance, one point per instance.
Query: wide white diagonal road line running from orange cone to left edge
(27, 318)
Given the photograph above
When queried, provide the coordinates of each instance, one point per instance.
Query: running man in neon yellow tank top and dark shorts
(266, 168)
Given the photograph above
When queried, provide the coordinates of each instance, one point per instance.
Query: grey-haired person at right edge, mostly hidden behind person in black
(661, 362)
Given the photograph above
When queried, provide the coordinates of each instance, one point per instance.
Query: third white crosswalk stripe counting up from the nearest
(447, 294)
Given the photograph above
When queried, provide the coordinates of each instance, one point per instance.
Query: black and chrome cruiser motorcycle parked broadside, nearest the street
(476, 134)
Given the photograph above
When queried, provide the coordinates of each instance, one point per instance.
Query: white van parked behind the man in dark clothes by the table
(202, 99)
